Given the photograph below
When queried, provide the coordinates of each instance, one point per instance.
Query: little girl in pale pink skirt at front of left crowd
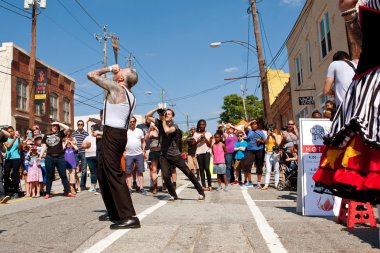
(34, 172)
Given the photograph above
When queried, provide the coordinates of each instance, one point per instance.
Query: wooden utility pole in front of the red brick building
(32, 59)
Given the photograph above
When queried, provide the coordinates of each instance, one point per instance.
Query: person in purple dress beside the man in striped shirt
(70, 147)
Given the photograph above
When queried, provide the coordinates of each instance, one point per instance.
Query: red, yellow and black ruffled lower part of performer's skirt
(352, 172)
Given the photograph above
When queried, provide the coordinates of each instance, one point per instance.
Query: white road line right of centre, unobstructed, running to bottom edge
(271, 238)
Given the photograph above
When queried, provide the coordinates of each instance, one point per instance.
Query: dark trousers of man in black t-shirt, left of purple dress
(50, 164)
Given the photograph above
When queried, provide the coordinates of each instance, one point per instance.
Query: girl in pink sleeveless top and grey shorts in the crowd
(219, 151)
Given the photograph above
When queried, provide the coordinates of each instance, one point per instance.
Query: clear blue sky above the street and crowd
(170, 40)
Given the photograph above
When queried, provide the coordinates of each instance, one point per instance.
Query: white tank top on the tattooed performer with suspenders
(118, 115)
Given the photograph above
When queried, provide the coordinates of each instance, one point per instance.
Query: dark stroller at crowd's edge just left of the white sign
(288, 172)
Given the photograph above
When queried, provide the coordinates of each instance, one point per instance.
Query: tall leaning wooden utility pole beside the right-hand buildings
(263, 75)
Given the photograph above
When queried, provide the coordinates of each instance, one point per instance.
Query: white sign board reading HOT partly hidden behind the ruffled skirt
(311, 147)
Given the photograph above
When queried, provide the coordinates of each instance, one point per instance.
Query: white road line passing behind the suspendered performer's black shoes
(110, 239)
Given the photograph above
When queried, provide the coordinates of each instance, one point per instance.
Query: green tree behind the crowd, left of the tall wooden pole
(233, 110)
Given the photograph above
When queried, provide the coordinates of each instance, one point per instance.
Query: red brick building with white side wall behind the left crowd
(14, 91)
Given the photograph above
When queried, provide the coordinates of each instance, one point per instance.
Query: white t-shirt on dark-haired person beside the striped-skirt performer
(342, 73)
